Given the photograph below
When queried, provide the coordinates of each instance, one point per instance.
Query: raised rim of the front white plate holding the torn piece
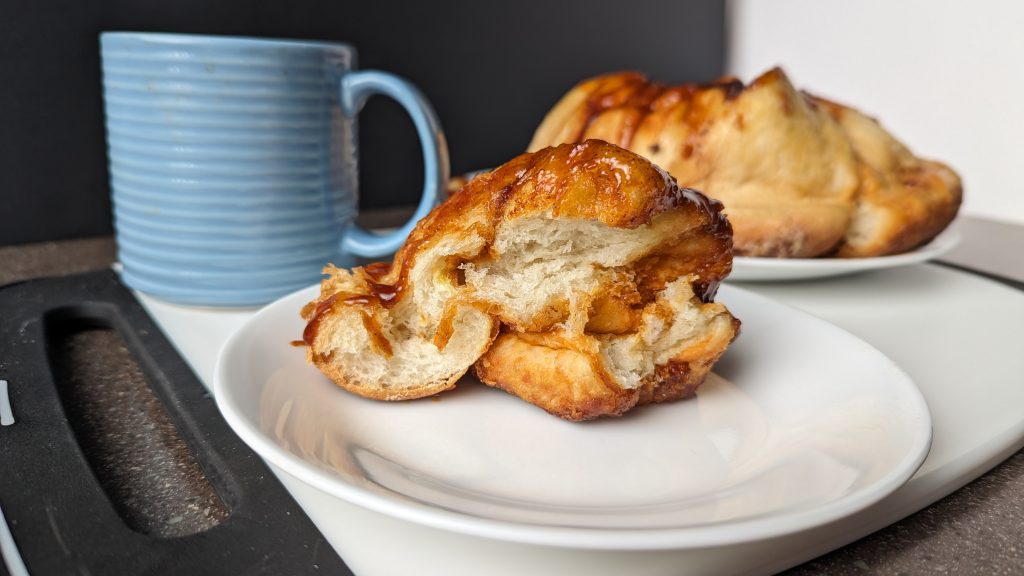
(692, 538)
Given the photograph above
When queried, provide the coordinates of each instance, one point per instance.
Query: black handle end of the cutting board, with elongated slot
(118, 461)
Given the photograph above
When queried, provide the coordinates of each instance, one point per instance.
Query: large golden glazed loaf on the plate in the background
(799, 177)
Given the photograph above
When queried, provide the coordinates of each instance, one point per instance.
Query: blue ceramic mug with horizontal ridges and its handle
(234, 162)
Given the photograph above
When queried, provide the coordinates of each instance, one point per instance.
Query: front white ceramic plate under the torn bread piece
(802, 425)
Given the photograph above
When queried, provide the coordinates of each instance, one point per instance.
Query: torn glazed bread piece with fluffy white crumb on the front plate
(595, 271)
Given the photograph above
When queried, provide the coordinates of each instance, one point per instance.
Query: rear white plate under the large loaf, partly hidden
(776, 270)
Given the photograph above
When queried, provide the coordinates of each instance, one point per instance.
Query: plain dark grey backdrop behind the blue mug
(491, 69)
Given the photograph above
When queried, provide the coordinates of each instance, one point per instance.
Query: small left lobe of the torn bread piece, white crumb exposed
(399, 333)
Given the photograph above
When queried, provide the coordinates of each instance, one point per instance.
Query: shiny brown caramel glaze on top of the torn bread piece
(593, 181)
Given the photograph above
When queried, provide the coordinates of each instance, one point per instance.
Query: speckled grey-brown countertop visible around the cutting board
(979, 529)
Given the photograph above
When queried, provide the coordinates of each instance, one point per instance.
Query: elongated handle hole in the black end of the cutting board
(124, 432)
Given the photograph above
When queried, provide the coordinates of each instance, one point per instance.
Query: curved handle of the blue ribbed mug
(357, 88)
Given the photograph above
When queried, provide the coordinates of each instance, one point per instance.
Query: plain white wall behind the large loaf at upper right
(946, 77)
